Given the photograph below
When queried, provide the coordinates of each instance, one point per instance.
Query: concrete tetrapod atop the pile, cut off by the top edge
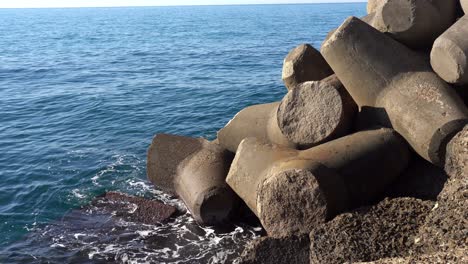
(416, 23)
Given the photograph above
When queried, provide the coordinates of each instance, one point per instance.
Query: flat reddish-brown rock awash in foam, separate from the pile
(135, 209)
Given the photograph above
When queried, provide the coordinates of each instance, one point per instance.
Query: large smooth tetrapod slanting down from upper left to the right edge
(419, 105)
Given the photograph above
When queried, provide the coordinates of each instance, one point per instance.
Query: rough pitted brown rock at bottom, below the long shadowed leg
(387, 229)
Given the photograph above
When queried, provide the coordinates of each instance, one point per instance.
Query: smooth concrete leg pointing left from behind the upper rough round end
(258, 121)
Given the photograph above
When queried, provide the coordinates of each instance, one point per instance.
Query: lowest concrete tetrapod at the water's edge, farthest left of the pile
(195, 170)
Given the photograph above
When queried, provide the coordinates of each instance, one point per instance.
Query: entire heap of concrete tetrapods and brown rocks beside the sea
(365, 160)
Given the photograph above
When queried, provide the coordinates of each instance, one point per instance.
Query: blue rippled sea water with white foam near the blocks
(83, 91)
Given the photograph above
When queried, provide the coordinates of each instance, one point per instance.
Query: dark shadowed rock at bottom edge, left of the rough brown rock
(268, 250)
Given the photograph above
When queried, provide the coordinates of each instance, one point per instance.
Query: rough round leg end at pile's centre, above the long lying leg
(316, 112)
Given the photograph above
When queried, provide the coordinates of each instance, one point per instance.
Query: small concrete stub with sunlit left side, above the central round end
(304, 63)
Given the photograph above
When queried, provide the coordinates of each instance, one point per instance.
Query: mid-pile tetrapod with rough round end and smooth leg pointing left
(310, 114)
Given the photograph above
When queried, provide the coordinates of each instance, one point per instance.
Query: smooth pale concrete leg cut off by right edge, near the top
(449, 55)
